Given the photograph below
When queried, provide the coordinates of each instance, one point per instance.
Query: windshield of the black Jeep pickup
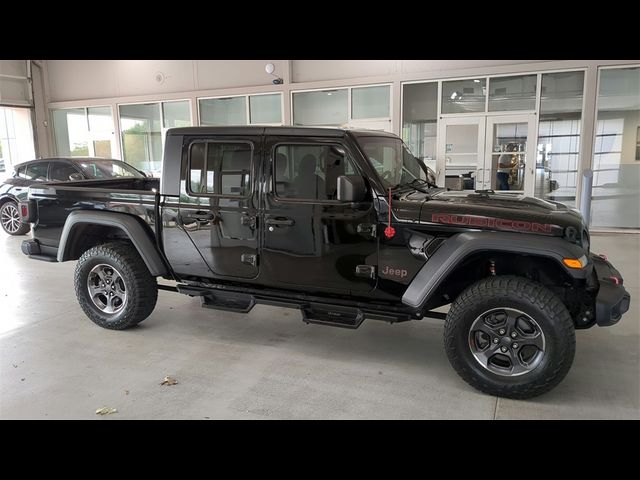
(394, 162)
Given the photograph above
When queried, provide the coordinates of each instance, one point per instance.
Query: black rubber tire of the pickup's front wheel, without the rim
(534, 300)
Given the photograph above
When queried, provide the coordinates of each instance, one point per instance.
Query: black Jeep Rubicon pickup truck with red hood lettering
(344, 225)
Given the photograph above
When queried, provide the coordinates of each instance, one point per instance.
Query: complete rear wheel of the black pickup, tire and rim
(114, 286)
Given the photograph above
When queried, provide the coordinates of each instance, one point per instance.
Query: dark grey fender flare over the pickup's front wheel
(460, 246)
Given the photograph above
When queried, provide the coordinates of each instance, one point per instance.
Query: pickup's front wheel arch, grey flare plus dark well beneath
(469, 253)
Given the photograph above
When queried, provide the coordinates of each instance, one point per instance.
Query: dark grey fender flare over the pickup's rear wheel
(130, 225)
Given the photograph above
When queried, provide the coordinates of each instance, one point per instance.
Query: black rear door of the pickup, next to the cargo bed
(218, 203)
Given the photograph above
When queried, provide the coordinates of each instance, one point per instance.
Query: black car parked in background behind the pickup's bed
(58, 169)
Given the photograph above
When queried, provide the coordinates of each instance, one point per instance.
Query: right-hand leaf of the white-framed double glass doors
(509, 161)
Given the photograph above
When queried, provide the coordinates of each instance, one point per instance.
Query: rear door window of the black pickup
(220, 168)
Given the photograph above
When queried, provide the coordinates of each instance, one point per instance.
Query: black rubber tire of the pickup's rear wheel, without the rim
(141, 286)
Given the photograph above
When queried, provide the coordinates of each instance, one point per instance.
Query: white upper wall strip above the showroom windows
(90, 79)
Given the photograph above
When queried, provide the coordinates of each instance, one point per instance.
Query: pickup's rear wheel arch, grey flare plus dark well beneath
(84, 229)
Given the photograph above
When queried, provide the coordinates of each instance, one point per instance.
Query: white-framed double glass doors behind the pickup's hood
(492, 152)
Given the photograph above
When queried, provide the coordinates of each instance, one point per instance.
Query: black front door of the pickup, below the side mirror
(313, 241)
